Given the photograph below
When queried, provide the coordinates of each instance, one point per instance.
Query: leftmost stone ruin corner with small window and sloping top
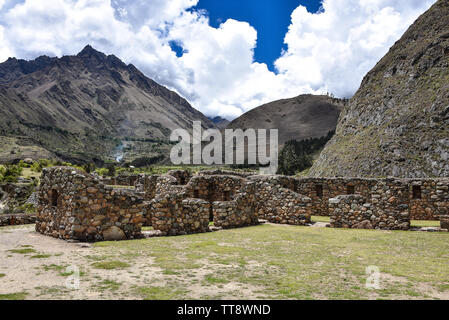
(74, 205)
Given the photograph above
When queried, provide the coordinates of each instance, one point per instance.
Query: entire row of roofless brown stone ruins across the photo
(75, 205)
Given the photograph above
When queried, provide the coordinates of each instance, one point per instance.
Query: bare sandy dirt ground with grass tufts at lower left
(36, 265)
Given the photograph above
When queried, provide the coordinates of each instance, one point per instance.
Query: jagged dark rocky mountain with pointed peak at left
(81, 107)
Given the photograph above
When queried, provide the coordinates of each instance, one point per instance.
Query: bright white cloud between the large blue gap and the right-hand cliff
(333, 50)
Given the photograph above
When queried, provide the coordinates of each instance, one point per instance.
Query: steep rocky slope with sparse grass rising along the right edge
(397, 124)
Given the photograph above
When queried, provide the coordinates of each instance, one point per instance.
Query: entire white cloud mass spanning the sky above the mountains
(329, 51)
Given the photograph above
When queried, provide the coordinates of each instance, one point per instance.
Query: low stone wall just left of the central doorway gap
(172, 214)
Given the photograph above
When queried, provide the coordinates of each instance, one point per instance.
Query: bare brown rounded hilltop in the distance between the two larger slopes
(299, 118)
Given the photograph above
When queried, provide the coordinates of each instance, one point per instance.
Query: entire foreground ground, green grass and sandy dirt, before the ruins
(262, 262)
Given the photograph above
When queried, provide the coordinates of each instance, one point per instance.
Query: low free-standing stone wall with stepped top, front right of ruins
(352, 211)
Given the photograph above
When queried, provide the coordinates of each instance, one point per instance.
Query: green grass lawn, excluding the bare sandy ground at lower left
(289, 262)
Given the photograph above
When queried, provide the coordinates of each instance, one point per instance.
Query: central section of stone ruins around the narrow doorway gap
(214, 197)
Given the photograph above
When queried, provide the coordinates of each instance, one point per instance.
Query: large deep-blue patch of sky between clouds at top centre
(270, 18)
